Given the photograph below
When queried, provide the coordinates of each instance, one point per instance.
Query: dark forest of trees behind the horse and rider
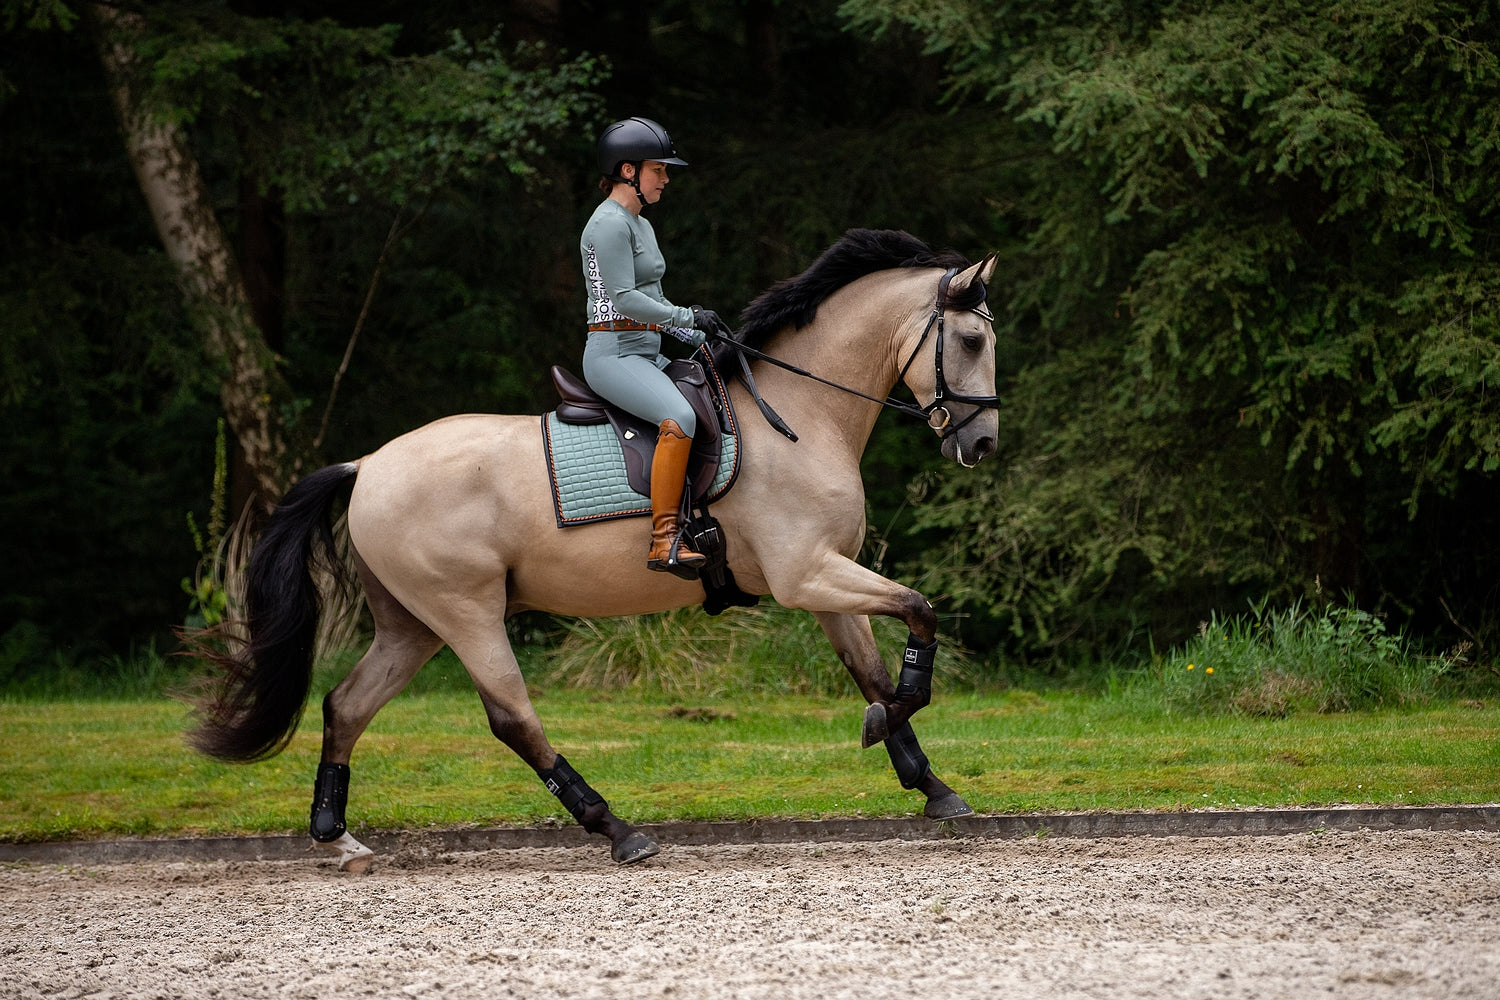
(1247, 299)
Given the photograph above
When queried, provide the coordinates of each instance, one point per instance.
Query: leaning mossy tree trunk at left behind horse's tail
(194, 241)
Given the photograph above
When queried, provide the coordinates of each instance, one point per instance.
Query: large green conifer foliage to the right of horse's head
(1255, 314)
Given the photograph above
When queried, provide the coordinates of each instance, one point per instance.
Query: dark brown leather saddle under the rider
(703, 389)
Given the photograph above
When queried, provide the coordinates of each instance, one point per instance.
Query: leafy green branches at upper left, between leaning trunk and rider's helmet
(326, 113)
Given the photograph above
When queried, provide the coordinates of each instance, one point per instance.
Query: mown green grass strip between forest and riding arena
(101, 768)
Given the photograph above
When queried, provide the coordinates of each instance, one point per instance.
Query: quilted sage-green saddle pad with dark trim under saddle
(587, 469)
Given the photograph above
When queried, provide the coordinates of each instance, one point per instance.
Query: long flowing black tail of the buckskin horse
(251, 707)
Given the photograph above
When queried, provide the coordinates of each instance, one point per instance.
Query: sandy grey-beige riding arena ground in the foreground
(1336, 914)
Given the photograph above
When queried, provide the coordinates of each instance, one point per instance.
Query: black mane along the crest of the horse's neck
(794, 302)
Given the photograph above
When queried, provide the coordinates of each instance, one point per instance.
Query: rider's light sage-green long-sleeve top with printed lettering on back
(623, 269)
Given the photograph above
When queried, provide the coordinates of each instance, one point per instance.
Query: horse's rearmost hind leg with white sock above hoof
(401, 647)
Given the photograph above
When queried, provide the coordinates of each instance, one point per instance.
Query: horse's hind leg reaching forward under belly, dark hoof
(514, 720)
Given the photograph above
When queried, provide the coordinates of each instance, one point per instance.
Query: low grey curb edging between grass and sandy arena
(1081, 825)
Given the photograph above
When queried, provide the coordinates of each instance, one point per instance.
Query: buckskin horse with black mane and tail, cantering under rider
(451, 531)
